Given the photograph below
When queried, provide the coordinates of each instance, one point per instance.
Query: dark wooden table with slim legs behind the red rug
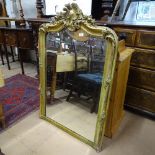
(19, 37)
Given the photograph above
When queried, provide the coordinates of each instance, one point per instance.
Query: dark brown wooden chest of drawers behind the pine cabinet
(140, 95)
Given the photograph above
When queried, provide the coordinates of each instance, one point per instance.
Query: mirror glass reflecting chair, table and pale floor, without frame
(74, 66)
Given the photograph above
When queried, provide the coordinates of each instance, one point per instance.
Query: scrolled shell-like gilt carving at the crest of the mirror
(72, 16)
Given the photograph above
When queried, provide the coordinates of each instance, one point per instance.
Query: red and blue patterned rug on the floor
(20, 96)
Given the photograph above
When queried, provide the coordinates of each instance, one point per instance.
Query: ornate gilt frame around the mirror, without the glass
(73, 19)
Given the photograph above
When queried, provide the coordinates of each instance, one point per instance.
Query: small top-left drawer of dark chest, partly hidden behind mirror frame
(130, 34)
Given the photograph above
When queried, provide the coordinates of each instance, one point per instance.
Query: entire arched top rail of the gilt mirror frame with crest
(73, 19)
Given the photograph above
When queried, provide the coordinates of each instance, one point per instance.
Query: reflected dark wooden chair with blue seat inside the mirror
(86, 82)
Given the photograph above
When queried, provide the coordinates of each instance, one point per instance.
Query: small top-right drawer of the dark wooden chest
(146, 39)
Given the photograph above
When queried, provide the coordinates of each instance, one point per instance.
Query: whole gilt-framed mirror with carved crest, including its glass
(77, 62)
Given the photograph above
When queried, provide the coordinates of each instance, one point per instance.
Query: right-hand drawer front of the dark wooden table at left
(25, 39)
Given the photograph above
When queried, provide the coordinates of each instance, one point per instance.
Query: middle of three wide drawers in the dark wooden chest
(142, 78)
